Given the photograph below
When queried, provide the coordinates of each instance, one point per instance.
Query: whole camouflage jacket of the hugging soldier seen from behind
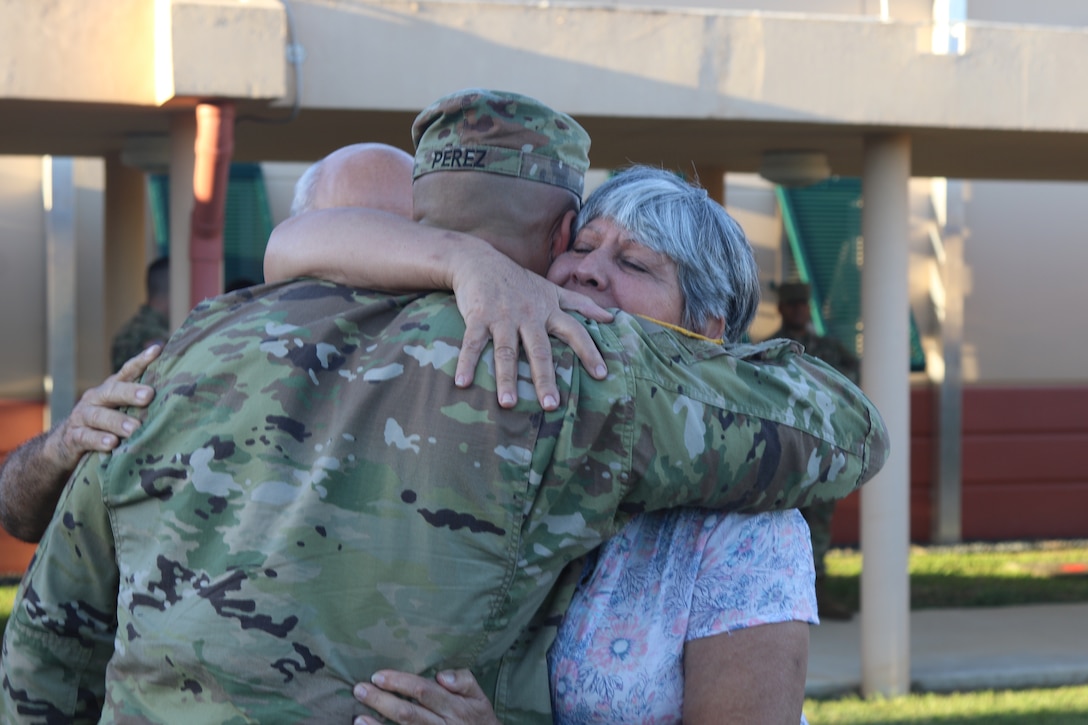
(312, 499)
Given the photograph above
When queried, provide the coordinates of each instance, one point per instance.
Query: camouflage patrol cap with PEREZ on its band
(501, 133)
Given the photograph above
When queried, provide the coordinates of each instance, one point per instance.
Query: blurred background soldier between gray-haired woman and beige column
(794, 306)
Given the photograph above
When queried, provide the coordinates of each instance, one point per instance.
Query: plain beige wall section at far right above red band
(1024, 320)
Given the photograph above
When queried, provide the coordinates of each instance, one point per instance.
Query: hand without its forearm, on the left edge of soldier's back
(95, 423)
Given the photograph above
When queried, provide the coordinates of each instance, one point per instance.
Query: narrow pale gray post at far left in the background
(58, 193)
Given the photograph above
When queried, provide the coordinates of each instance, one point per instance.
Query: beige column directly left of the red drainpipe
(183, 139)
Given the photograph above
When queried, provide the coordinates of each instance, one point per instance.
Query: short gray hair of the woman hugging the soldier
(718, 272)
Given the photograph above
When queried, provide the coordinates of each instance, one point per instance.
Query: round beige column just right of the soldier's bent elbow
(886, 500)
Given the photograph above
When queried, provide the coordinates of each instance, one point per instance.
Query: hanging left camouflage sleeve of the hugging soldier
(60, 635)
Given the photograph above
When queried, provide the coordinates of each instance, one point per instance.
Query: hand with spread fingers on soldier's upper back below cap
(510, 305)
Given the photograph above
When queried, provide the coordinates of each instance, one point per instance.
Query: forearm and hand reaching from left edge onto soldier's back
(34, 475)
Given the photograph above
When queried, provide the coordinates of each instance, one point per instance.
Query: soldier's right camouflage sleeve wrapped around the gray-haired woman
(748, 428)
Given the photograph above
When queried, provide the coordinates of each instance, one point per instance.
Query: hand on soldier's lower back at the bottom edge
(453, 698)
